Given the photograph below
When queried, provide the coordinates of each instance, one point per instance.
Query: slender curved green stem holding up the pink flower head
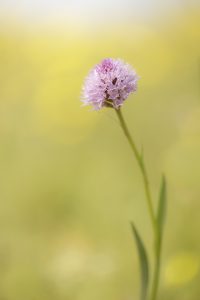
(157, 239)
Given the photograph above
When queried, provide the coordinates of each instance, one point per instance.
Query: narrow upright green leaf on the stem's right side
(162, 206)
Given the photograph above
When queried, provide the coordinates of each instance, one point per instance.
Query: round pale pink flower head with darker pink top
(109, 84)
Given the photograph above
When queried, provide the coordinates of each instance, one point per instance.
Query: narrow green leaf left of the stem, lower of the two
(144, 267)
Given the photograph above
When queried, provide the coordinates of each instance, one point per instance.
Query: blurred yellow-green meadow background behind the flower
(68, 182)
